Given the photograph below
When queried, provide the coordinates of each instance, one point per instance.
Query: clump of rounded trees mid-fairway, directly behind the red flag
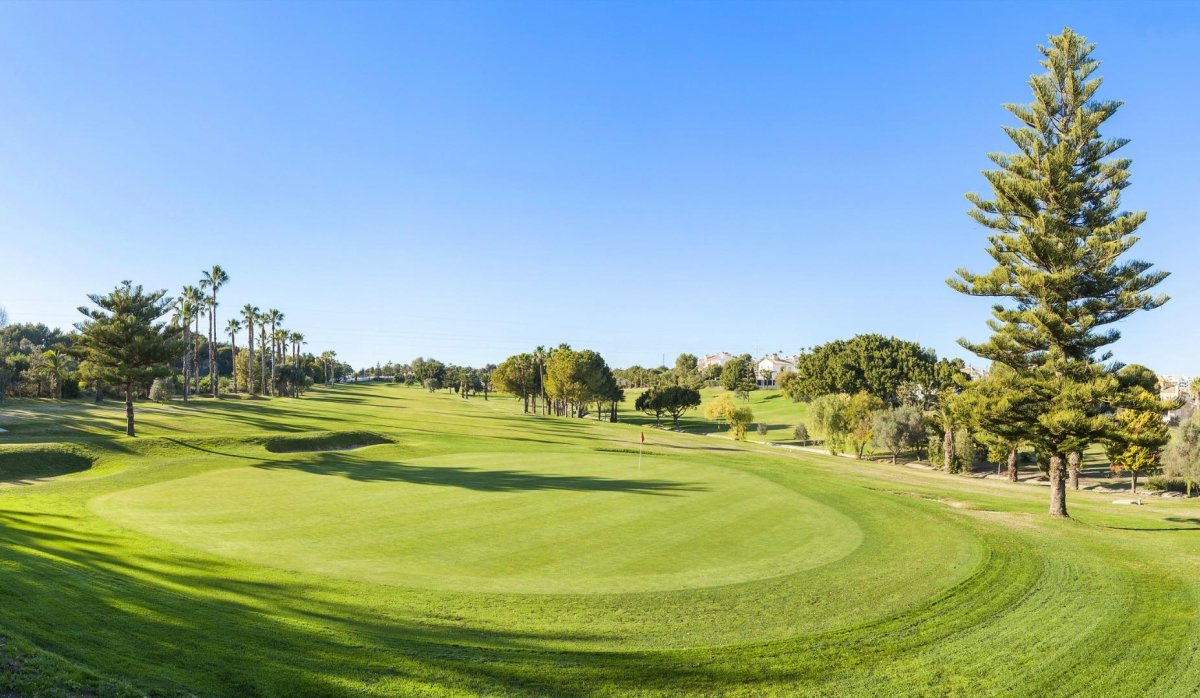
(561, 382)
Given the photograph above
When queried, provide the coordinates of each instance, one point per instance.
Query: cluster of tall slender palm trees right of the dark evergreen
(268, 344)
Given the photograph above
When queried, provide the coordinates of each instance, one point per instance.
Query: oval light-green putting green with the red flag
(543, 523)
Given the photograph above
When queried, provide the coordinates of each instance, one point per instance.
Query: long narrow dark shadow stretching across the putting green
(476, 479)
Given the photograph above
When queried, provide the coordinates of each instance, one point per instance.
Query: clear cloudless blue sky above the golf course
(469, 180)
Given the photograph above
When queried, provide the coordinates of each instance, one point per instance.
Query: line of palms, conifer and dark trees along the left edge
(141, 345)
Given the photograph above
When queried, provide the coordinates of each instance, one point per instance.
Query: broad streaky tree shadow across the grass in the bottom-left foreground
(243, 637)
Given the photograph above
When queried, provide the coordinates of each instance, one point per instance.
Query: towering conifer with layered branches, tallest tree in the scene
(1058, 238)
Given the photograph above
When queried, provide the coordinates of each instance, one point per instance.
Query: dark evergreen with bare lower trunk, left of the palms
(124, 342)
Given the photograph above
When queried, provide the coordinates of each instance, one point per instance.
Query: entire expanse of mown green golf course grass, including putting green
(473, 550)
